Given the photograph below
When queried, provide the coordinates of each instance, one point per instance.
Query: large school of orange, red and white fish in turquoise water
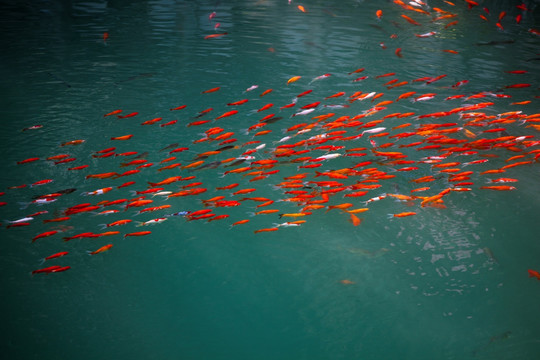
(337, 152)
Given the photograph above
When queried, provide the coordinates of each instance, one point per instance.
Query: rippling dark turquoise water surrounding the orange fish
(446, 283)
